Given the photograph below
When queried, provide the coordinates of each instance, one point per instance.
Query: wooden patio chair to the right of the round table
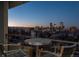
(65, 51)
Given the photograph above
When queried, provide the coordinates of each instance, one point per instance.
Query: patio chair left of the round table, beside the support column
(18, 52)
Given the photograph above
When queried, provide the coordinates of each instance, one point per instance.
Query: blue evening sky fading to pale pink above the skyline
(43, 12)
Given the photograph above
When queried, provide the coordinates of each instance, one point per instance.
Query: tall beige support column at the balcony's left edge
(3, 22)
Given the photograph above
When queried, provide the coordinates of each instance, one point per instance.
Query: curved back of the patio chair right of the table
(67, 51)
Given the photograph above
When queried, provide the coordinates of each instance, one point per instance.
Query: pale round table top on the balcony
(38, 41)
